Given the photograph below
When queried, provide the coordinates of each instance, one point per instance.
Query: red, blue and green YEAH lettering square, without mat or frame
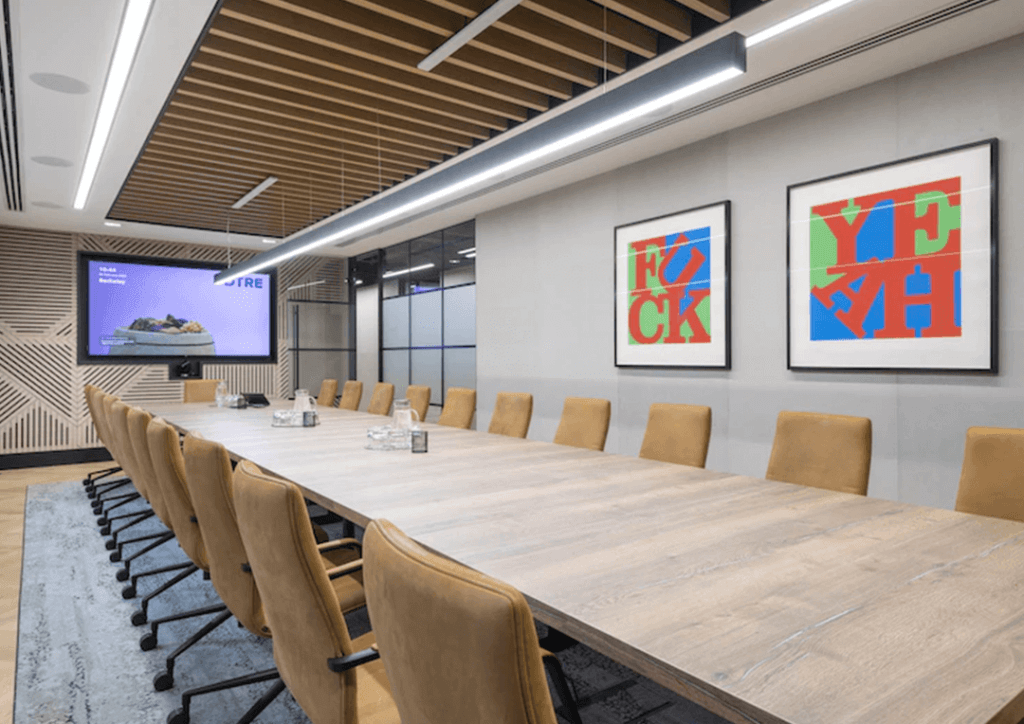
(887, 266)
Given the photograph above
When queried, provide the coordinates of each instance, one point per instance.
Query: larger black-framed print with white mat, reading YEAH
(894, 268)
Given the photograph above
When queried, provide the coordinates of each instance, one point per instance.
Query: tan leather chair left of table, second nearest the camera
(312, 646)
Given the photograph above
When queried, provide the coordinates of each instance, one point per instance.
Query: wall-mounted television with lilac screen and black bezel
(144, 310)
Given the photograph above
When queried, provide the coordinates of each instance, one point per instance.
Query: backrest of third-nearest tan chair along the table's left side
(208, 476)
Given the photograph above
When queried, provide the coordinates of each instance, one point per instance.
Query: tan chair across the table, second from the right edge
(833, 452)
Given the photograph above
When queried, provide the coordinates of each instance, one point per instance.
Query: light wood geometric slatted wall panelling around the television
(41, 402)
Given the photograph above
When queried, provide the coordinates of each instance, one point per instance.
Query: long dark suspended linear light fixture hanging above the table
(704, 69)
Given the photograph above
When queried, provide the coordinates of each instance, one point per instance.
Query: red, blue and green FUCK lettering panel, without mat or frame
(670, 289)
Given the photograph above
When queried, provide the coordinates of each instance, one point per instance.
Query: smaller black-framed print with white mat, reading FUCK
(672, 290)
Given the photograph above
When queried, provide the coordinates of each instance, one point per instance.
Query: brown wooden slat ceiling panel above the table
(325, 95)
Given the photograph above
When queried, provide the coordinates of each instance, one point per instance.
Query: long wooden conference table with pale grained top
(762, 602)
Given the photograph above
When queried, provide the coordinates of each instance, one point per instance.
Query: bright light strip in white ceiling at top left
(133, 26)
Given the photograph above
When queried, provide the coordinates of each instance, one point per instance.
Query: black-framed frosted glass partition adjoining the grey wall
(429, 313)
